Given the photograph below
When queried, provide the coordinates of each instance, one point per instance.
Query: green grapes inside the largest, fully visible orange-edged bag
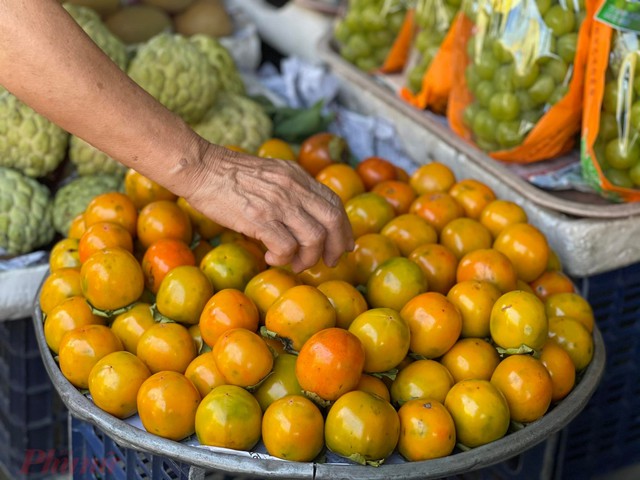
(516, 78)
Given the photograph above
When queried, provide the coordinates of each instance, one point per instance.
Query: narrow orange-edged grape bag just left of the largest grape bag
(428, 74)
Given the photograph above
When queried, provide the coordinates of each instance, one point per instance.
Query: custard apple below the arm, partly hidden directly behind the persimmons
(72, 199)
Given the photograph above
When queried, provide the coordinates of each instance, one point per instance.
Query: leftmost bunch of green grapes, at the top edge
(367, 31)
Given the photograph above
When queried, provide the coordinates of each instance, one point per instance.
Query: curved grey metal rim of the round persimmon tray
(209, 460)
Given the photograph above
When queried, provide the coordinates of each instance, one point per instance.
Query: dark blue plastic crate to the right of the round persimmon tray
(606, 434)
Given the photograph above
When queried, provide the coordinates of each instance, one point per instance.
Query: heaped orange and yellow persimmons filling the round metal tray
(449, 323)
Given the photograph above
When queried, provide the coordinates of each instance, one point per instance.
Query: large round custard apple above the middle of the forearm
(177, 73)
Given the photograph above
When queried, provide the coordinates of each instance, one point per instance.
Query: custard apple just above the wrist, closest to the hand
(235, 120)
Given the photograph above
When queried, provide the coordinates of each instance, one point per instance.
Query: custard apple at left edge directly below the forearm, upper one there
(28, 141)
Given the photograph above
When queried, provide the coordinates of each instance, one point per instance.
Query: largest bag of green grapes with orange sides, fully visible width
(519, 76)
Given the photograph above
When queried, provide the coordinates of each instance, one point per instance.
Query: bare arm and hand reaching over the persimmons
(48, 62)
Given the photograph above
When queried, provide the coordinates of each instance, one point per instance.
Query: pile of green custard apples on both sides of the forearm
(38, 158)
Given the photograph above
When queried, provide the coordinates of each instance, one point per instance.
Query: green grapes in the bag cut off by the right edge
(617, 147)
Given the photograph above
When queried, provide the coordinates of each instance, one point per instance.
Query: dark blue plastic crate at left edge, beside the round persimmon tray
(33, 418)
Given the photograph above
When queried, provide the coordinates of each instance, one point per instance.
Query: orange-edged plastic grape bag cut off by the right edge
(610, 154)
